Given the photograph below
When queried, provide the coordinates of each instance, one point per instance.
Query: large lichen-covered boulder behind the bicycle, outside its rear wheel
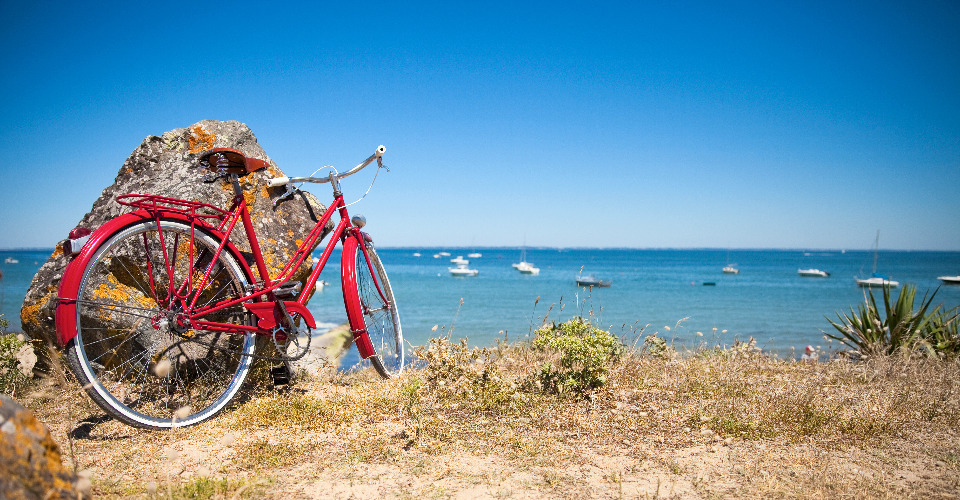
(168, 165)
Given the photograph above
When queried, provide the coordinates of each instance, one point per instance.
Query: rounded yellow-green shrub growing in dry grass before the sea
(582, 356)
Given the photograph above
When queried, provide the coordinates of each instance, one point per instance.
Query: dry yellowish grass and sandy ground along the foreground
(727, 424)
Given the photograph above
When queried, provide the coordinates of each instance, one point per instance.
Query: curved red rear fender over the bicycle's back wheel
(66, 310)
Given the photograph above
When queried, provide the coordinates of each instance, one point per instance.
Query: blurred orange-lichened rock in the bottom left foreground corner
(30, 463)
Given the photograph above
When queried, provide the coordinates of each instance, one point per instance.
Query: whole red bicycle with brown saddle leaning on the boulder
(160, 312)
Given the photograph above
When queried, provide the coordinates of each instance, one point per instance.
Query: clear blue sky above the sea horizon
(785, 124)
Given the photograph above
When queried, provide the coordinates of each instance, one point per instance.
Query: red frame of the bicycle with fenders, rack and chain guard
(260, 299)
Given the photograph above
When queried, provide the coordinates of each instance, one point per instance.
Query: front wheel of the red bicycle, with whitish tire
(380, 317)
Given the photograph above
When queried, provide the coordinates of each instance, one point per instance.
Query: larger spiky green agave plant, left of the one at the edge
(899, 326)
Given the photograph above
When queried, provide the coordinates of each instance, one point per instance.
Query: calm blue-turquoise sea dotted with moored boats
(682, 295)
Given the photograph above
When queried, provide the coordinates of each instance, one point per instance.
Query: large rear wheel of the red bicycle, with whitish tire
(129, 354)
